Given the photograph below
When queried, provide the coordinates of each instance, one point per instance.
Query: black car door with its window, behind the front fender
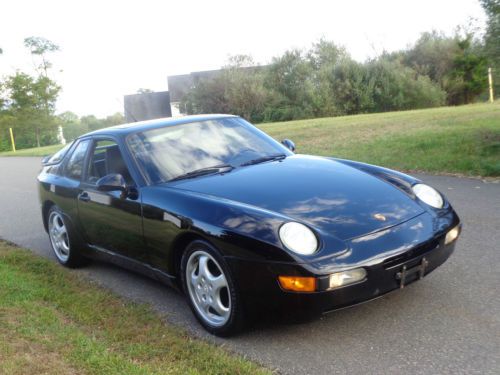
(110, 221)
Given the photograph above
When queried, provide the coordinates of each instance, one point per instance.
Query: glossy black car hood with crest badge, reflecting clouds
(328, 195)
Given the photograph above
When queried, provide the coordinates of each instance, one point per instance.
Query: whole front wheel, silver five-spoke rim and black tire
(210, 289)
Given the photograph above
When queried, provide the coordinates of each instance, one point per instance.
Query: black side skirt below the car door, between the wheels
(98, 253)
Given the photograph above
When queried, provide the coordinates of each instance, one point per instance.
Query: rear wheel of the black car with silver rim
(67, 247)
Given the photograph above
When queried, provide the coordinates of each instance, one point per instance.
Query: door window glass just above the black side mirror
(106, 158)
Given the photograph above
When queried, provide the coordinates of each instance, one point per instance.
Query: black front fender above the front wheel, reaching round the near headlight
(238, 230)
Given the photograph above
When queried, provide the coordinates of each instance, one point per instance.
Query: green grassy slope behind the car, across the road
(463, 139)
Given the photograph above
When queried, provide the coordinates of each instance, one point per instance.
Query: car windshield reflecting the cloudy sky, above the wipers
(173, 151)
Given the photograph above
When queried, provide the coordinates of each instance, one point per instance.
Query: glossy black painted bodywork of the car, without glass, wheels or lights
(240, 213)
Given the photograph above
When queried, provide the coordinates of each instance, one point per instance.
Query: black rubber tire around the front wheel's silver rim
(235, 320)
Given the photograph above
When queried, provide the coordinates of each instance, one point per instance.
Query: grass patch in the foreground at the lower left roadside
(55, 322)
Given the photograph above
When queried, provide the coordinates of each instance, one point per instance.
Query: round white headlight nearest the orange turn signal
(298, 238)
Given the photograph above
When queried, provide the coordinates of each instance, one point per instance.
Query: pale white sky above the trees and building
(112, 48)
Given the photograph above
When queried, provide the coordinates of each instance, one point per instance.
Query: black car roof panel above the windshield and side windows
(134, 127)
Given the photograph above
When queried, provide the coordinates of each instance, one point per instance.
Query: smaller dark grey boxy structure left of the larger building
(147, 106)
